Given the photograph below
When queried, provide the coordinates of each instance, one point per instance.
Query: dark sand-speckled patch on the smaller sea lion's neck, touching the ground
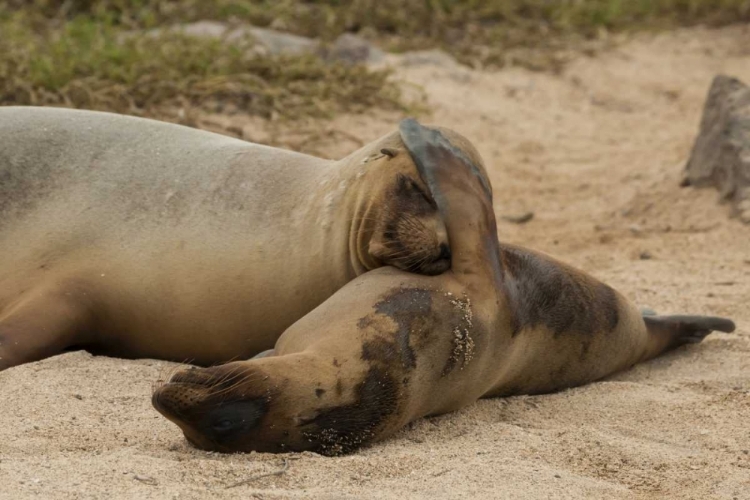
(342, 429)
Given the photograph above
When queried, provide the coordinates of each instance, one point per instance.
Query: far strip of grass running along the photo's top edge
(476, 31)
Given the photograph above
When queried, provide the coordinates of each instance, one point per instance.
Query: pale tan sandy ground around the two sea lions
(597, 154)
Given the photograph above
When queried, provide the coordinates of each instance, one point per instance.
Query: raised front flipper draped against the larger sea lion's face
(463, 197)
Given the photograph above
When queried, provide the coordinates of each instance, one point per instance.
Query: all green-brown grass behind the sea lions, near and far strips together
(74, 52)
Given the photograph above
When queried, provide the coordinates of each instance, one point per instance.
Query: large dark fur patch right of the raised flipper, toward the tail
(542, 292)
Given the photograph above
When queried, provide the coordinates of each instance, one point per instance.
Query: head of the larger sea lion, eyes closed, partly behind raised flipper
(406, 229)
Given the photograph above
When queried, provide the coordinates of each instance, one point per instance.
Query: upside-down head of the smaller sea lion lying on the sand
(274, 404)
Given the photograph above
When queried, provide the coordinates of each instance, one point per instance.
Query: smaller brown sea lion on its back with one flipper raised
(391, 347)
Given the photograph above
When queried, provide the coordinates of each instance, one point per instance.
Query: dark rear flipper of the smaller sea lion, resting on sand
(669, 332)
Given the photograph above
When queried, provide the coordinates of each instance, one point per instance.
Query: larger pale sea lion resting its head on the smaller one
(138, 238)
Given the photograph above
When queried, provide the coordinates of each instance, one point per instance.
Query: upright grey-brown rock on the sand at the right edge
(721, 154)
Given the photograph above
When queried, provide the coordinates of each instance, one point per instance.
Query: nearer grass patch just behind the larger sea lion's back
(87, 62)
